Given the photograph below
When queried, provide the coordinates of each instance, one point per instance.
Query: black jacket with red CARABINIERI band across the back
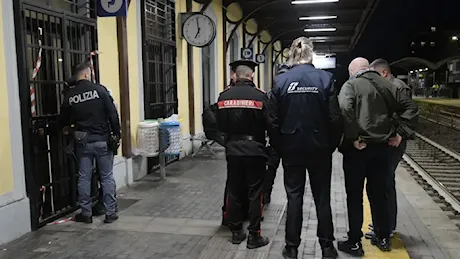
(243, 116)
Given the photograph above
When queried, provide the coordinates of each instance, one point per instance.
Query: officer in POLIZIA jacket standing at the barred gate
(90, 108)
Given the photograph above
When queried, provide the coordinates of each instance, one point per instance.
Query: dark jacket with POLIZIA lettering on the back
(90, 107)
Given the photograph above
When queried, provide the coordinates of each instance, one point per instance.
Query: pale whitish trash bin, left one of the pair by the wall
(148, 138)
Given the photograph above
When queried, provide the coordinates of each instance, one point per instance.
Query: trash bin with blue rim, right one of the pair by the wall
(173, 138)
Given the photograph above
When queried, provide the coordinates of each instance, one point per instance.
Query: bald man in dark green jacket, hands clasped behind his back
(369, 131)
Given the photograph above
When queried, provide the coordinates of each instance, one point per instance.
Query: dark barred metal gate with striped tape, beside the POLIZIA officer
(64, 39)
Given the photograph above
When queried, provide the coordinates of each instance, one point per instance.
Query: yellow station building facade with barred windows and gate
(38, 180)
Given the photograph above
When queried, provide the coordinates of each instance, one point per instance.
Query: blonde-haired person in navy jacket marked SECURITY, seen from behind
(308, 116)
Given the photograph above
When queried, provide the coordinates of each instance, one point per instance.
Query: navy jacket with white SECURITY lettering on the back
(308, 115)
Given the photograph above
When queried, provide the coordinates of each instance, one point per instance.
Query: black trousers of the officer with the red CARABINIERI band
(245, 181)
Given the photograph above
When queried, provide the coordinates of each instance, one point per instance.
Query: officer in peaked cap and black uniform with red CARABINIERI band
(243, 117)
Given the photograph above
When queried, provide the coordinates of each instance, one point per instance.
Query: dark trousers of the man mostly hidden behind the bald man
(395, 157)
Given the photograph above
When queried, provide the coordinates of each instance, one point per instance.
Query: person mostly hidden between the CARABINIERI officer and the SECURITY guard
(273, 158)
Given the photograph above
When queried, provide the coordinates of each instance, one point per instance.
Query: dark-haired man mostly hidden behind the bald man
(402, 93)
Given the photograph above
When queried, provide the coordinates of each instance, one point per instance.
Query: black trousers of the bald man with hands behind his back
(373, 164)
